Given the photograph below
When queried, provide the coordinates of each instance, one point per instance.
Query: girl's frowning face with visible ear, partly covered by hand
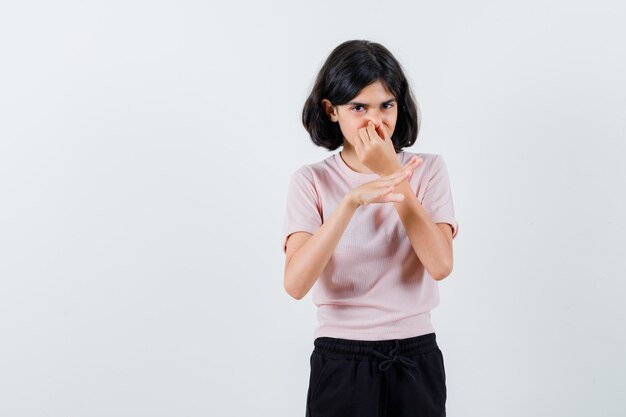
(374, 102)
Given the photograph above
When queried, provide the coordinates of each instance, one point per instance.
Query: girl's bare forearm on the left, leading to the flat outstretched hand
(308, 261)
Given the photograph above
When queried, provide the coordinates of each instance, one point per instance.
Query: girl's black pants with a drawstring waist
(387, 378)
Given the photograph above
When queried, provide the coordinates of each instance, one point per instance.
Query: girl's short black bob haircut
(349, 68)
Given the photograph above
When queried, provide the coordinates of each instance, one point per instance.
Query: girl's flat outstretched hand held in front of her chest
(381, 190)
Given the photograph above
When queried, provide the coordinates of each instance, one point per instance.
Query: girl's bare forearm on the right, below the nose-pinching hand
(429, 243)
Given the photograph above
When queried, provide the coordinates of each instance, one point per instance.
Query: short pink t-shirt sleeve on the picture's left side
(303, 208)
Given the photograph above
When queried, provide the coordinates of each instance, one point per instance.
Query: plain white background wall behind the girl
(145, 152)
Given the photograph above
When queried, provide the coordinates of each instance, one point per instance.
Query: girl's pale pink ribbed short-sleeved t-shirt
(374, 287)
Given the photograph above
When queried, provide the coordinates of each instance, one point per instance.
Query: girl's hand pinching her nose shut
(375, 150)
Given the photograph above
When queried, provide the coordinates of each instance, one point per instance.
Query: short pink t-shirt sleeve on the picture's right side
(437, 200)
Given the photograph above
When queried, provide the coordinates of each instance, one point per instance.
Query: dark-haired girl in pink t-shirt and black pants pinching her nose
(370, 230)
